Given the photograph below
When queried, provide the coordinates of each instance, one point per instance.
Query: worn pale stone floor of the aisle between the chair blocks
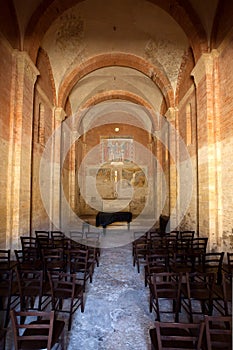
(116, 315)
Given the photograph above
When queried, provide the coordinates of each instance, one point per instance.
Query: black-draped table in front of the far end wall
(104, 219)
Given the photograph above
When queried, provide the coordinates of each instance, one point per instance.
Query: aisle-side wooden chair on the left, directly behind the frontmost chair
(64, 286)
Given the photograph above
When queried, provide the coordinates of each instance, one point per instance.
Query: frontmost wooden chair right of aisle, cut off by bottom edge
(170, 335)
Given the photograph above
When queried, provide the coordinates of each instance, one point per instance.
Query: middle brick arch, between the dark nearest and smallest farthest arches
(116, 59)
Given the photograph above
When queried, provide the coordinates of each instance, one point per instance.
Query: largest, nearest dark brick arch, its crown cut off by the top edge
(181, 11)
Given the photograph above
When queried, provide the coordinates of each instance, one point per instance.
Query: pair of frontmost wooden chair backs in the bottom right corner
(213, 332)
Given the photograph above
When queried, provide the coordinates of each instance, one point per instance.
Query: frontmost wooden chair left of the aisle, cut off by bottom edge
(43, 333)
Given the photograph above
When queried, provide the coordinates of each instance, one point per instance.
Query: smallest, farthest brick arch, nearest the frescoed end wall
(121, 95)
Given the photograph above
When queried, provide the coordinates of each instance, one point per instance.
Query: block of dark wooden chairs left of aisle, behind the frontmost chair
(32, 280)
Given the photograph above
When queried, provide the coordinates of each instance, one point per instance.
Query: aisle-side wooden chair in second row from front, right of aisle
(165, 287)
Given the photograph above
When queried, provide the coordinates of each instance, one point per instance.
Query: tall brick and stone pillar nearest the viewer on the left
(24, 75)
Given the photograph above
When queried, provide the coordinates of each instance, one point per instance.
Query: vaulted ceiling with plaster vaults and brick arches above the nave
(134, 47)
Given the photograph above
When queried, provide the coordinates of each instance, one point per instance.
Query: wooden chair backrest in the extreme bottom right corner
(218, 332)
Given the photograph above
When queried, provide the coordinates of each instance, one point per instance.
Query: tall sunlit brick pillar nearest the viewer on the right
(206, 80)
